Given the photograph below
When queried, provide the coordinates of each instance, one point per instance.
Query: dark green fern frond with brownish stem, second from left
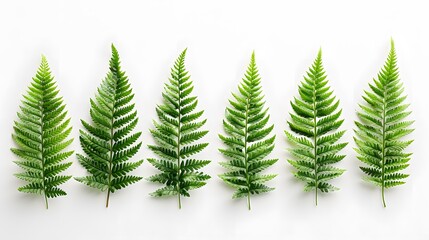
(109, 143)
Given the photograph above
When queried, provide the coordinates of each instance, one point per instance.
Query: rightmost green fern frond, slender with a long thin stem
(381, 127)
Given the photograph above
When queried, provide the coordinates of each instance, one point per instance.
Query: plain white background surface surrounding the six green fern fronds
(76, 36)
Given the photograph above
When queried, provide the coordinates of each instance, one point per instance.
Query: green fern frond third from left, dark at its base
(176, 135)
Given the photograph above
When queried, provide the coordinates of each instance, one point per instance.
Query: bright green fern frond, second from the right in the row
(315, 122)
